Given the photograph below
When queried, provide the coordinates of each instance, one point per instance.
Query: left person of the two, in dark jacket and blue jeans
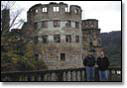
(89, 63)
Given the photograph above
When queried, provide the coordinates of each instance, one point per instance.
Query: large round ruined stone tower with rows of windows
(57, 31)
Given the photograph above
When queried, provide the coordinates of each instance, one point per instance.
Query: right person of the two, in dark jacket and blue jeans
(103, 64)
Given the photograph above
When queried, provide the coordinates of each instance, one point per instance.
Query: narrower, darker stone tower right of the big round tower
(91, 37)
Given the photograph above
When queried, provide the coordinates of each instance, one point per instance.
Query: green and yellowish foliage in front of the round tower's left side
(17, 55)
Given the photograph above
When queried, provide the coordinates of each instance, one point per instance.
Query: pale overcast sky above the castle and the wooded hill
(107, 12)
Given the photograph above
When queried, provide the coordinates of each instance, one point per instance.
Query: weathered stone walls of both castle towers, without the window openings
(74, 51)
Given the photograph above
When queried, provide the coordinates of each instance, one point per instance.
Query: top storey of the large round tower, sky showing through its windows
(51, 11)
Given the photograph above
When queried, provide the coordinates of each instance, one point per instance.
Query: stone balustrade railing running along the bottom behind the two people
(78, 74)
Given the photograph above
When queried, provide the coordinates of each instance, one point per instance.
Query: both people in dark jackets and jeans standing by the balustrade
(102, 64)
